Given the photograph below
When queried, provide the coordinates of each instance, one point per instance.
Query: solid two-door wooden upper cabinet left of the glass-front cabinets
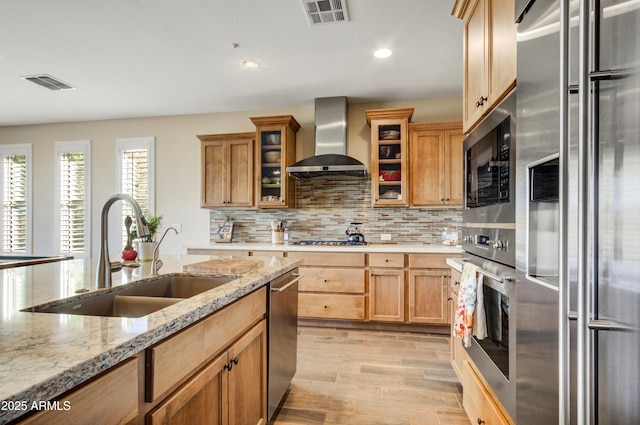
(227, 170)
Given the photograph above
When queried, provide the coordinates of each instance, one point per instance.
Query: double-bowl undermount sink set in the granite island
(137, 299)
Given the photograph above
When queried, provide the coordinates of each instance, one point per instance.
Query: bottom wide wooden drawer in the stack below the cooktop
(348, 307)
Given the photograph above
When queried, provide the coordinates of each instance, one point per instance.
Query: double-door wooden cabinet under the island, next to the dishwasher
(231, 389)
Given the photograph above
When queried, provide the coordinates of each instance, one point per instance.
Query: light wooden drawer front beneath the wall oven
(477, 401)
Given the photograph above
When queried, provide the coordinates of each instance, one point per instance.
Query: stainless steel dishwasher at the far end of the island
(283, 337)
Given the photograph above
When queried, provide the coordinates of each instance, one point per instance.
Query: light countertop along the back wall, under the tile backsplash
(408, 248)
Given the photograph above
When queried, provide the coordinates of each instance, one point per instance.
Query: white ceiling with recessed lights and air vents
(137, 58)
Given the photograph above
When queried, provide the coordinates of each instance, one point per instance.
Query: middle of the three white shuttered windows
(73, 200)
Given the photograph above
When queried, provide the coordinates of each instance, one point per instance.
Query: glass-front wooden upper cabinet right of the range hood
(389, 156)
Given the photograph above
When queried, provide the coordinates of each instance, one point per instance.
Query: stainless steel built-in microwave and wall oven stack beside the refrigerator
(488, 239)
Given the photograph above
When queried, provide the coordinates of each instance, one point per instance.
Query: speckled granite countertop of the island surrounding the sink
(43, 355)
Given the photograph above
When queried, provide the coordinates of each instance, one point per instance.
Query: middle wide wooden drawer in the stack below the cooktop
(332, 280)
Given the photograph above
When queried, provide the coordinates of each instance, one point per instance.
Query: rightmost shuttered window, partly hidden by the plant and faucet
(136, 171)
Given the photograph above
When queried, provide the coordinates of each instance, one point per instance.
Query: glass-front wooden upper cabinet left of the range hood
(275, 150)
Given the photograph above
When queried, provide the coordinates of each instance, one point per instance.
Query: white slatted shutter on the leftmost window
(15, 206)
